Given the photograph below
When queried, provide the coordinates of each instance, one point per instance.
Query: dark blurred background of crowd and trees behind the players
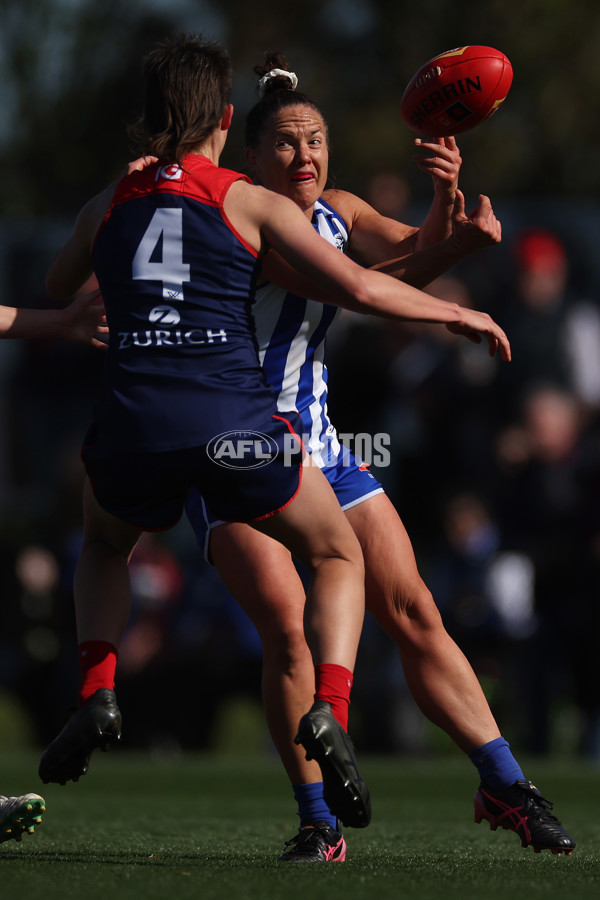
(495, 468)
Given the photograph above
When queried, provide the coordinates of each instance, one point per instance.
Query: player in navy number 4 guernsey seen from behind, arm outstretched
(176, 249)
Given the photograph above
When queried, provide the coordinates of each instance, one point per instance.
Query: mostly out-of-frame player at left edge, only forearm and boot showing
(83, 322)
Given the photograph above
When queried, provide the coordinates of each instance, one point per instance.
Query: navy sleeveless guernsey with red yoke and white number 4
(178, 283)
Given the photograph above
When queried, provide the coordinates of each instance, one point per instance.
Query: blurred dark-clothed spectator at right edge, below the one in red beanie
(547, 490)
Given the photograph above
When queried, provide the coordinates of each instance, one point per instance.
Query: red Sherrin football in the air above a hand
(456, 90)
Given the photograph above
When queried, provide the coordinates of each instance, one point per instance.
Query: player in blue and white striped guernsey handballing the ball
(287, 149)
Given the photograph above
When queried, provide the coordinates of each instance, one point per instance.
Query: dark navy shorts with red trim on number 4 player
(242, 475)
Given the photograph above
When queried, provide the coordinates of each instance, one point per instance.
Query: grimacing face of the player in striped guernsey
(292, 155)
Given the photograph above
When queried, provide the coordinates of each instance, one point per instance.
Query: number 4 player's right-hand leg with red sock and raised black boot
(315, 530)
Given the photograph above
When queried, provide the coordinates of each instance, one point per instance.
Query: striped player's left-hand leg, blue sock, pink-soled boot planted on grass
(260, 574)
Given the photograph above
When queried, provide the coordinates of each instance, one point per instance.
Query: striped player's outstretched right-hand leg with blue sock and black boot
(443, 682)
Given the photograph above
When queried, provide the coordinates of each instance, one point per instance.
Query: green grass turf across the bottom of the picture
(213, 827)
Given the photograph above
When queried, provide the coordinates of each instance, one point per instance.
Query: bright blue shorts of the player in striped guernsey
(350, 479)
